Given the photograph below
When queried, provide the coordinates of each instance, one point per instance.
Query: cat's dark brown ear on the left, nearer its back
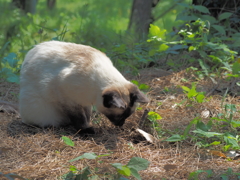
(111, 99)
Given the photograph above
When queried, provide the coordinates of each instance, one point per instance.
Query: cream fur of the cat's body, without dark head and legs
(57, 75)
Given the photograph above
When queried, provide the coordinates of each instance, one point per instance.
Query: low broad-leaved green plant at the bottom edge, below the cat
(131, 168)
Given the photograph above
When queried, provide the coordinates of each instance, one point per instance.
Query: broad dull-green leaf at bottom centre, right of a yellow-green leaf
(138, 163)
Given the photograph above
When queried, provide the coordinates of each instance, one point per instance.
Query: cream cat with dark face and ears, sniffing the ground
(60, 82)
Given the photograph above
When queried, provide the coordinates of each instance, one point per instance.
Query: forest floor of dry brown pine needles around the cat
(41, 154)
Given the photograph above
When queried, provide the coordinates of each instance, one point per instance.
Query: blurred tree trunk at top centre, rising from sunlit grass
(141, 17)
